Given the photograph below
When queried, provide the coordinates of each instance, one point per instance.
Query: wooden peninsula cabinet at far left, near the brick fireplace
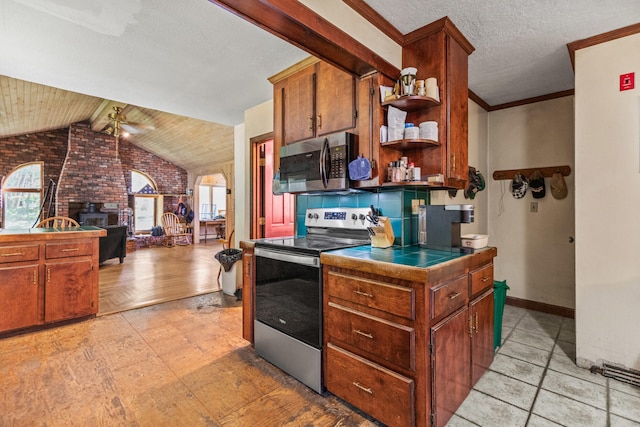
(48, 275)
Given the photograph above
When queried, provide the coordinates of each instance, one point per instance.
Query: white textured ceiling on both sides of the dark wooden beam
(192, 58)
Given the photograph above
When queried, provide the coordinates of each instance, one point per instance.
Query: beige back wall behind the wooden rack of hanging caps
(534, 252)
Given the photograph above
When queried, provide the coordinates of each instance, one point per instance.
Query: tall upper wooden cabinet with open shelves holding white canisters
(439, 50)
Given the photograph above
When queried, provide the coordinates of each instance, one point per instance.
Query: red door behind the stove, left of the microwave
(278, 210)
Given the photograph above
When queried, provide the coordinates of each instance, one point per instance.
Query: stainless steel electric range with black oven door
(288, 301)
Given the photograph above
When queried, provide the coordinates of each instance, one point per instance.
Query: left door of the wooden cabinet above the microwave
(299, 106)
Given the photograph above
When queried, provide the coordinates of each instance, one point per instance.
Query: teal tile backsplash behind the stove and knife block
(396, 204)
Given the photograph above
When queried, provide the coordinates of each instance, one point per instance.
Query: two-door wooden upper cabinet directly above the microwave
(312, 99)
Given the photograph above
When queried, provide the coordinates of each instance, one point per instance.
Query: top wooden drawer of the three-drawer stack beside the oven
(393, 299)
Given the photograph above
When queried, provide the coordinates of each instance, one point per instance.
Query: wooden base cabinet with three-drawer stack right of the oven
(426, 334)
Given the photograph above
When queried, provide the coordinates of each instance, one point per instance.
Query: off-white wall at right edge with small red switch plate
(607, 124)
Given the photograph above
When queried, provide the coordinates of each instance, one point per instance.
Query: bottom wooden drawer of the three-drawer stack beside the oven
(381, 393)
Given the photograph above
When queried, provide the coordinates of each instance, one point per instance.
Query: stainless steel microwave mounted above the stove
(319, 164)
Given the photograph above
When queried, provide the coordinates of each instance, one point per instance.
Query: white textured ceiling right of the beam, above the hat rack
(521, 45)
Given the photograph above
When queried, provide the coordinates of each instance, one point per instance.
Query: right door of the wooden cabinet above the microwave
(335, 100)
